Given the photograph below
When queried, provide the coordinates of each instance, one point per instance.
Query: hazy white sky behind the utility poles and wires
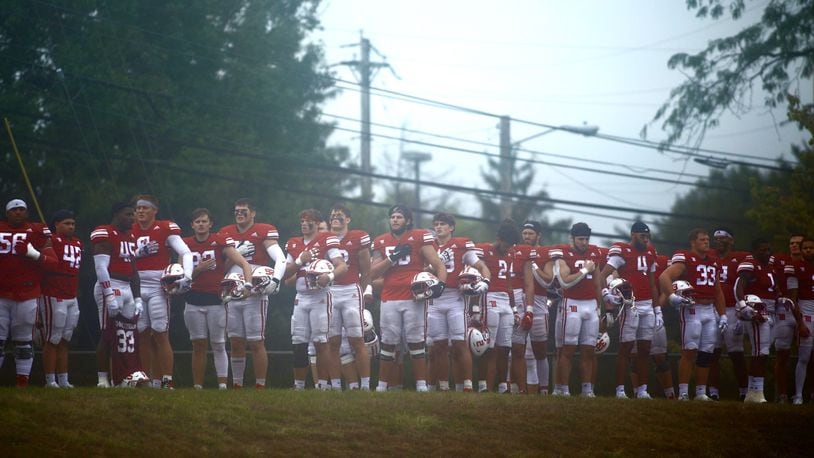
(551, 62)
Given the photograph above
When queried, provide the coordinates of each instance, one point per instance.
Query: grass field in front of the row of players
(275, 422)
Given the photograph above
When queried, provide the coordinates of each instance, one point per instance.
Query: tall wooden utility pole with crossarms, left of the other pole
(364, 70)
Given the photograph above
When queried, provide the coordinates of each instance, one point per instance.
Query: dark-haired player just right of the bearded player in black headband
(446, 317)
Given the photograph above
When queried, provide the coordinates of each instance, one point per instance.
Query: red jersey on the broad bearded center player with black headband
(398, 278)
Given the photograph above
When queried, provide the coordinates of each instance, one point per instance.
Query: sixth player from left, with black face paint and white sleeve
(246, 318)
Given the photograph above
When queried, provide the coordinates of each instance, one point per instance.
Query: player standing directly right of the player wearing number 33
(732, 337)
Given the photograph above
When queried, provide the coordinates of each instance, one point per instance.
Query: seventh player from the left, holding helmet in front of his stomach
(312, 313)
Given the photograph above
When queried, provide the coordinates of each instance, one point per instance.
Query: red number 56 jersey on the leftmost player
(20, 275)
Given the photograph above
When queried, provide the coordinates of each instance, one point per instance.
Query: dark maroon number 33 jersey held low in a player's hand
(122, 337)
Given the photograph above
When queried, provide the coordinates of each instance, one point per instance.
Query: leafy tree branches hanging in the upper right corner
(776, 52)
